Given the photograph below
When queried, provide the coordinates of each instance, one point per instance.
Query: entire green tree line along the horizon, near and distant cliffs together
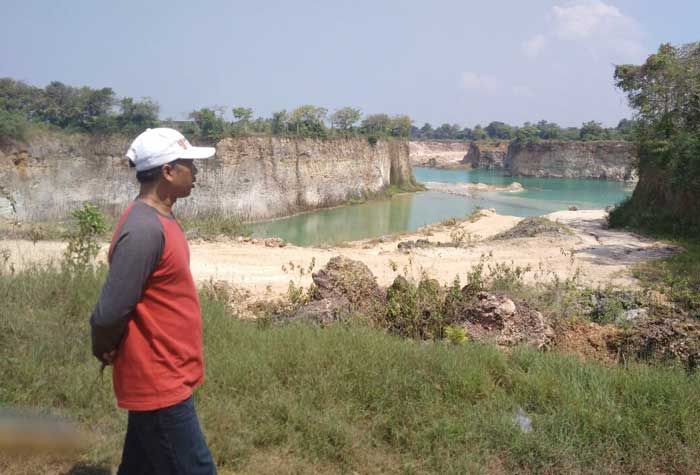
(101, 111)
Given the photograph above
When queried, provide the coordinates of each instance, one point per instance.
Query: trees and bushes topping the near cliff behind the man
(101, 111)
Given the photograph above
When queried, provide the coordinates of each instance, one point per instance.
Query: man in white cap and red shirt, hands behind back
(147, 322)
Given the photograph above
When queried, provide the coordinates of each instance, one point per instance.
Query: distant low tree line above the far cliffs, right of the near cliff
(528, 132)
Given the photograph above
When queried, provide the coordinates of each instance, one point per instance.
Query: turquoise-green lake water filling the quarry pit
(408, 212)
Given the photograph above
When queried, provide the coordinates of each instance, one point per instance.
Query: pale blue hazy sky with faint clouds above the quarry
(463, 62)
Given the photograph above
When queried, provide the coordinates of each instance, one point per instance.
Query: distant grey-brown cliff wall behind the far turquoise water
(605, 160)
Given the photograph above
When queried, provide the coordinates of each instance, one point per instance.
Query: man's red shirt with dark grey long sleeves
(149, 312)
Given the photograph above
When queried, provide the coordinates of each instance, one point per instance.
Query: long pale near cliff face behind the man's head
(252, 177)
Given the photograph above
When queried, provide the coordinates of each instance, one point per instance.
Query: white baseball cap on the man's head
(156, 147)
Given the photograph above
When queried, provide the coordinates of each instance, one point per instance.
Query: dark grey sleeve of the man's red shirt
(135, 255)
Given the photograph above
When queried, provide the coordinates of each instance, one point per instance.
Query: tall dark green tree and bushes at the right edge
(665, 92)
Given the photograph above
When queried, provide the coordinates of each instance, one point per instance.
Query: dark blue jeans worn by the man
(166, 441)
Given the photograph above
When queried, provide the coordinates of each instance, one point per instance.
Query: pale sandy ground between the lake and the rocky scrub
(603, 256)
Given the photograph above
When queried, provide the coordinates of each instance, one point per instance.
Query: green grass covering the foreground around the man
(298, 399)
